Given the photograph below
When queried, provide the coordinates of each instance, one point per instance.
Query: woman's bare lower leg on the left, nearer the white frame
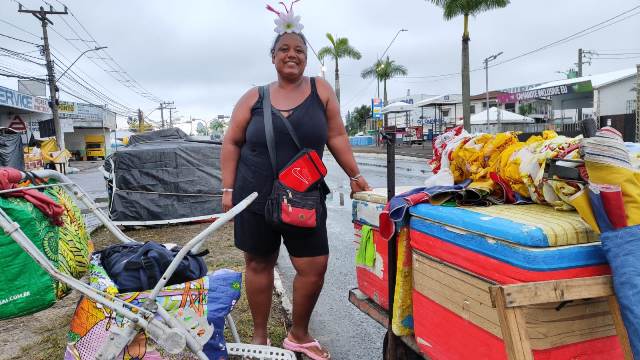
(259, 287)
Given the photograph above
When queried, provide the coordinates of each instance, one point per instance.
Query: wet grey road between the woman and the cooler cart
(336, 323)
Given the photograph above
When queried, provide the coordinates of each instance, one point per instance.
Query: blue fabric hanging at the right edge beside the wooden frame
(622, 249)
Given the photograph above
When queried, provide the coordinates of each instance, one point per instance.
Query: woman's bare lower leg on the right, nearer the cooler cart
(307, 285)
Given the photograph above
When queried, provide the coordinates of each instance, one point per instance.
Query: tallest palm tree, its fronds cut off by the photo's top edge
(451, 9)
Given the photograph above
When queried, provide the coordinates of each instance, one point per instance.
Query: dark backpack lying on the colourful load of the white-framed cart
(139, 267)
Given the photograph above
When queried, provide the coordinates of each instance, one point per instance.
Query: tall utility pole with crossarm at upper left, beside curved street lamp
(53, 89)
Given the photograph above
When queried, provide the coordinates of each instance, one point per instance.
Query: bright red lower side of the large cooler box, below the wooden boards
(443, 335)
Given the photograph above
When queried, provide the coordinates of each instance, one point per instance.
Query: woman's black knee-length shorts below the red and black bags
(254, 236)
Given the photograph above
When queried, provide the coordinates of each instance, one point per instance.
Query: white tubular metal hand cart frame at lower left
(173, 333)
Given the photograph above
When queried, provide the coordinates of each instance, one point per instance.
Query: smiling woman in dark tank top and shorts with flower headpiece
(311, 106)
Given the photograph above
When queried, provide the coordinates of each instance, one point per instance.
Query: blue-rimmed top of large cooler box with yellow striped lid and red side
(509, 243)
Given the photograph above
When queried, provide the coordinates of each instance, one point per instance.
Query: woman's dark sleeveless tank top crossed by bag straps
(254, 172)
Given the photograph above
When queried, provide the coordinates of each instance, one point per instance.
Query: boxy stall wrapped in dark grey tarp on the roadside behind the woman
(164, 177)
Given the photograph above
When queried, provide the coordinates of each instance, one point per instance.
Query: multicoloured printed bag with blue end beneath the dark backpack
(213, 295)
